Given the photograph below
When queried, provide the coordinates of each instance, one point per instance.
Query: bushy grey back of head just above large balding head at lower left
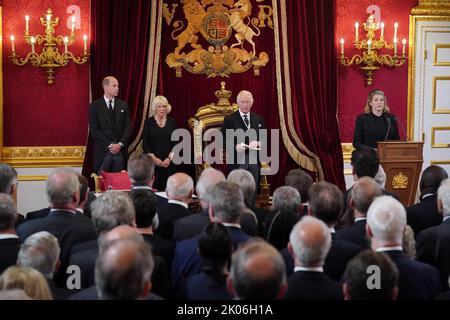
(111, 209)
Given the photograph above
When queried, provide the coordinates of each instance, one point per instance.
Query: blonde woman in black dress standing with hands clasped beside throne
(157, 140)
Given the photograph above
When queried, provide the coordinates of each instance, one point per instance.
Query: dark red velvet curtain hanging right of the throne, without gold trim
(313, 76)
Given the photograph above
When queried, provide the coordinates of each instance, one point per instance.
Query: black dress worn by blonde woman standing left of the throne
(157, 140)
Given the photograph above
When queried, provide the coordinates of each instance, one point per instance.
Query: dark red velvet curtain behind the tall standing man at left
(119, 47)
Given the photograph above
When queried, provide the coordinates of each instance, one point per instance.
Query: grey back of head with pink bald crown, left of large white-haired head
(310, 241)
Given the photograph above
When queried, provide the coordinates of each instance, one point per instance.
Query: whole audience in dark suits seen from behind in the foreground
(196, 265)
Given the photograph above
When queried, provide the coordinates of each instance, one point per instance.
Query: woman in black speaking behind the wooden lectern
(376, 123)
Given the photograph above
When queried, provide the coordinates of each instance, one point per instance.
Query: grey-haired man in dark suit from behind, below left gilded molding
(63, 191)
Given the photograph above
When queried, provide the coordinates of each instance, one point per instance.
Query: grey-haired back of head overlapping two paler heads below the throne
(227, 202)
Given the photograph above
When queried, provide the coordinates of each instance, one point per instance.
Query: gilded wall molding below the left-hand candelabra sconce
(44, 157)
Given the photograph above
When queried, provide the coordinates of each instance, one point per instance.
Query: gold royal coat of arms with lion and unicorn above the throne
(219, 23)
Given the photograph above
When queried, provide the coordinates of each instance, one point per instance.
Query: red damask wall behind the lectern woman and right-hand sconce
(352, 90)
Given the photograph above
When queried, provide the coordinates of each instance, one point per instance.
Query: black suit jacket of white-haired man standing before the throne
(234, 121)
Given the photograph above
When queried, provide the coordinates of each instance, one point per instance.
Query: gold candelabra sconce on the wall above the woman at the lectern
(371, 60)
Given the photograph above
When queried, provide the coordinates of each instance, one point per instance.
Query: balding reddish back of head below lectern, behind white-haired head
(364, 191)
